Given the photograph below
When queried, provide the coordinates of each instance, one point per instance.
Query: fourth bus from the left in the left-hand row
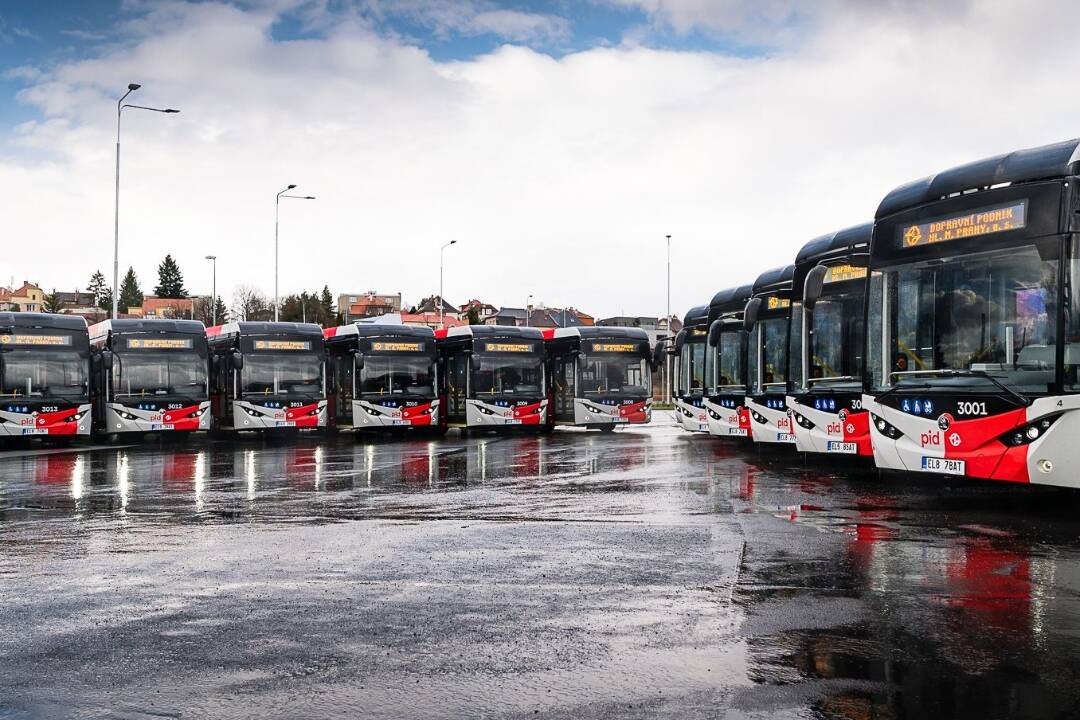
(383, 377)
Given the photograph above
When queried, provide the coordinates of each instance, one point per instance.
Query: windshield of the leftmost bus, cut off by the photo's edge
(37, 374)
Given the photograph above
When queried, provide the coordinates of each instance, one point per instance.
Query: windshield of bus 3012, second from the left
(175, 374)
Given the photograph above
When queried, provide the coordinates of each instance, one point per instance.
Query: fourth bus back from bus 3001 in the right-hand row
(725, 399)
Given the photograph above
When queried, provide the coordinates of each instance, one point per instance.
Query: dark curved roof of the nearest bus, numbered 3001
(1047, 162)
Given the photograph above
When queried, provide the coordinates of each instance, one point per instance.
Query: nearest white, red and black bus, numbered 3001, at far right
(974, 321)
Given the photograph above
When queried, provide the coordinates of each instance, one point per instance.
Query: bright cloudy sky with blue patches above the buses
(558, 143)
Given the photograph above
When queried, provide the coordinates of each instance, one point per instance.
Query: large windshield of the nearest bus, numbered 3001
(988, 317)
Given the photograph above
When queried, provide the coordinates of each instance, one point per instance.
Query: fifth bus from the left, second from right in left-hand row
(494, 377)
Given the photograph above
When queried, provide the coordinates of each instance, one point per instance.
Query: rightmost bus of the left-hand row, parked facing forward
(601, 377)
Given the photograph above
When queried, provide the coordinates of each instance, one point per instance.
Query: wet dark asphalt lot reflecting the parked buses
(646, 574)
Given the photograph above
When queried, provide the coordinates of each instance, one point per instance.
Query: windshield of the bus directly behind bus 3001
(836, 339)
